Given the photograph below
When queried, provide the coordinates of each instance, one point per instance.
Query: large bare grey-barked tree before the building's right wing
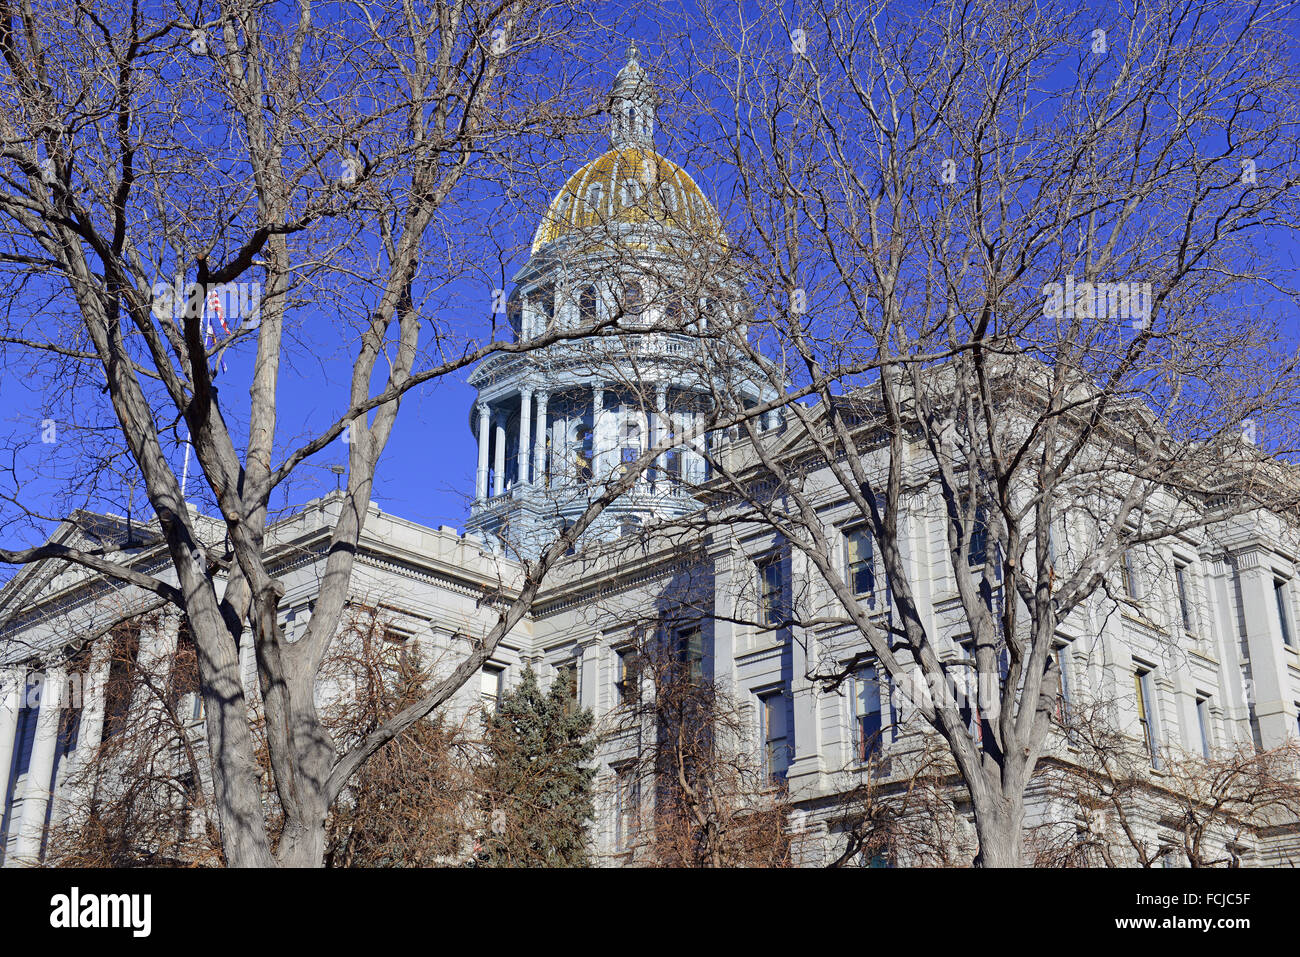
(957, 224)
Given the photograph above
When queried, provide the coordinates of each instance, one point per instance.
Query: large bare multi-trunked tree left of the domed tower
(324, 167)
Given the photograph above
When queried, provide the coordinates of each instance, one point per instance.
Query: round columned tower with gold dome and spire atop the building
(631, 245)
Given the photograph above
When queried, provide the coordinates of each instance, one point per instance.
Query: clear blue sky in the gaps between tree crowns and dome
(428, 470)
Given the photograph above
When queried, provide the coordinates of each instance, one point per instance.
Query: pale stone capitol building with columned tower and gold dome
(1203, 656)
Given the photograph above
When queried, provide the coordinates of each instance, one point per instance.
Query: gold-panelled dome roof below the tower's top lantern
(631, 185)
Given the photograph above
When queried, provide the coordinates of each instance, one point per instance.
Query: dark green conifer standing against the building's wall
(538, 786)
